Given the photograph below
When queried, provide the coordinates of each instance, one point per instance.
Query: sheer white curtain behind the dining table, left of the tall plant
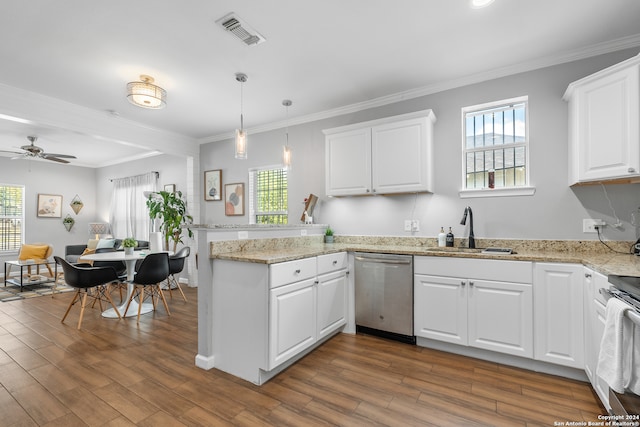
(129, 216)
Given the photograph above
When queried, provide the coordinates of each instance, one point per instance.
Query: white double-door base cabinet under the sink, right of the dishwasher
(488, 304)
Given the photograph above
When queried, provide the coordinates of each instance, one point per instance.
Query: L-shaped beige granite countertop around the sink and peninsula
(603, 262)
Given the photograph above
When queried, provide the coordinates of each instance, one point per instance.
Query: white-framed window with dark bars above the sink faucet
(496, 145)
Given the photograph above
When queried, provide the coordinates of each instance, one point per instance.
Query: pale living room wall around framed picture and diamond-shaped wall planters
(45, 177)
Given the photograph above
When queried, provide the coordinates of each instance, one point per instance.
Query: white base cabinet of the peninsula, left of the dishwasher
(267, 316)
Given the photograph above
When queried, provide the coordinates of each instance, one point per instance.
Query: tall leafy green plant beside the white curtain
(171, 210)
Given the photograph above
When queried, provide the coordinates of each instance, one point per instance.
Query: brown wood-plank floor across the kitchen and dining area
(116, 373)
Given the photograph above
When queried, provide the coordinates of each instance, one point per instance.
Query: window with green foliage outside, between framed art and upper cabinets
(269, 202)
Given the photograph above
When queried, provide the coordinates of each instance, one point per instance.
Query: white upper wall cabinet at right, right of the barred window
(604, 125)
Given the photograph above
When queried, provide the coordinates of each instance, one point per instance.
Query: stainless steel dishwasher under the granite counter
(384, 295)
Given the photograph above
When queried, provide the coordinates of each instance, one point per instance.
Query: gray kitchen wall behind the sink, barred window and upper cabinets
(554, 212)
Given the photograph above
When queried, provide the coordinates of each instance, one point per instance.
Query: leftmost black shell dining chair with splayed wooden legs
(92, 282)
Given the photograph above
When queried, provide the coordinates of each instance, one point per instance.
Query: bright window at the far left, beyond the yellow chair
(11, 217)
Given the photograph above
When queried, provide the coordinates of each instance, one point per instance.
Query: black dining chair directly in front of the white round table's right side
(153, 270)
